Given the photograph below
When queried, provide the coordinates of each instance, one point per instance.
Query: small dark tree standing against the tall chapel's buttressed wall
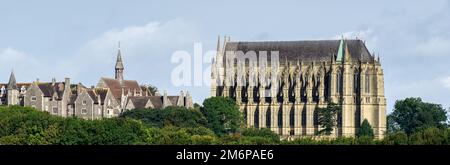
(328, 118)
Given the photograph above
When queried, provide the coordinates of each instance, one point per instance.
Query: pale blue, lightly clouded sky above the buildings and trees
(78, 39)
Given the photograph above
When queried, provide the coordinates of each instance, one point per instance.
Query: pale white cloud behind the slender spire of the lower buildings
(144, 49)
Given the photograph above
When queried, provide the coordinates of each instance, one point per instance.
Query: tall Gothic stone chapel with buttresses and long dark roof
(279, 84)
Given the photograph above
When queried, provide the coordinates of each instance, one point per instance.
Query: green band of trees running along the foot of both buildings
(217, 121)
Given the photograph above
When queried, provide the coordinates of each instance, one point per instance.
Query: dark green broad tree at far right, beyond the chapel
(412, 114)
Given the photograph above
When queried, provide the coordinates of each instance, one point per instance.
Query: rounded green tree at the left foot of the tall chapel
(222, 115)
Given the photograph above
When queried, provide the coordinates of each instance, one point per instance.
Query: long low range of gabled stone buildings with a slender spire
(109, 98)
